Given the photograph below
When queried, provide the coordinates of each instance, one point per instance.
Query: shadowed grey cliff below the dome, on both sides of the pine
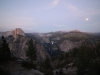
(19, 45)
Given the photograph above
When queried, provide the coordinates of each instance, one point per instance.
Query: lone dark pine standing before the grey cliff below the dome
(31, 52)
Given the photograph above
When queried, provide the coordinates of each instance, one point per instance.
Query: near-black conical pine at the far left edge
(4, 50)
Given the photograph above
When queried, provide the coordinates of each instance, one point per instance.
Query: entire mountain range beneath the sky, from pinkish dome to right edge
(54, 42)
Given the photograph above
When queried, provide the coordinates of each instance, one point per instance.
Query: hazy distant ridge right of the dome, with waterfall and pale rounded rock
(60, 41)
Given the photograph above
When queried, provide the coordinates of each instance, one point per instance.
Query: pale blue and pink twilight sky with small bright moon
(50, 15)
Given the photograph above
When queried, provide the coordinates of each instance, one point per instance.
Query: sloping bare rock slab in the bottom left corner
(16, 69)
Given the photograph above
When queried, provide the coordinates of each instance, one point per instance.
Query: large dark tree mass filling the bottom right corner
(87, 60)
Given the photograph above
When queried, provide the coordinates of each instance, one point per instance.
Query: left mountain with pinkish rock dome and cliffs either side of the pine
(18, 43)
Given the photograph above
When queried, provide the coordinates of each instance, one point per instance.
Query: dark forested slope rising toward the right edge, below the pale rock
(85, 58)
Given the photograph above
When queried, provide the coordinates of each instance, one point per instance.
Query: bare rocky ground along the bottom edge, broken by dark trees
(15, 68)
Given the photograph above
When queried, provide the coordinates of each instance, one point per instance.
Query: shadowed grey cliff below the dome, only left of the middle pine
(18, 46)
